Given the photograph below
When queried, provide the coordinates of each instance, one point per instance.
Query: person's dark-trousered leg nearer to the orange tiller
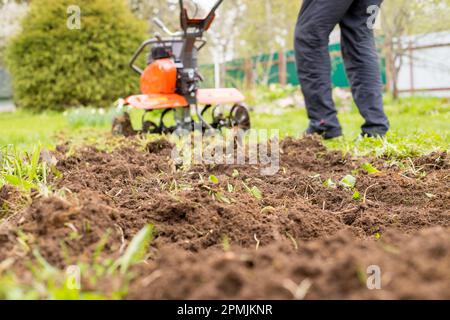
(316, 20)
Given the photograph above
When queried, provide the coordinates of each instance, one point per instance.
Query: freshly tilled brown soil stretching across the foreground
(301, 239)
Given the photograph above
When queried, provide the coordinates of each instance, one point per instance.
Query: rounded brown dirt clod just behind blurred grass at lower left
(60, 226)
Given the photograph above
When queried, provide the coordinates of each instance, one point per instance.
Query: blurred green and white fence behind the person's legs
(425, 67)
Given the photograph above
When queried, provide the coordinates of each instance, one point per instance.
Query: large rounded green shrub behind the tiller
(54, 67)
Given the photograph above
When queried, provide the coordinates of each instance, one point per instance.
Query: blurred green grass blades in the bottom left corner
(49, 282)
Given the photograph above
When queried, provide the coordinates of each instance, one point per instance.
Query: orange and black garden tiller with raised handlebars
(171, 80)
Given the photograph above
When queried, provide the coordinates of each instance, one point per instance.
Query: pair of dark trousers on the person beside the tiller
(316, 21)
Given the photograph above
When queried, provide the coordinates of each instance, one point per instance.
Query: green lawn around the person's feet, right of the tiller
(418, 126)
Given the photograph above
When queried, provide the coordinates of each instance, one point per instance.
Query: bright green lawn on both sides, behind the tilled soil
(419, 125)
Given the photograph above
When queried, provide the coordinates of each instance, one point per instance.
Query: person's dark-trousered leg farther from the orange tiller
(362, 65)
